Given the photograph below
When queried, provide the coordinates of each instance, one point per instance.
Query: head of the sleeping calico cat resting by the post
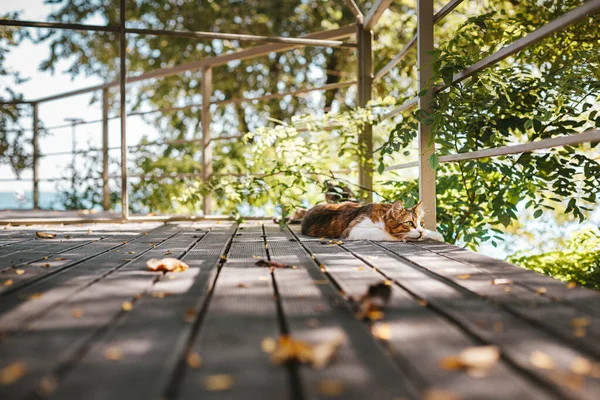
(405, 223)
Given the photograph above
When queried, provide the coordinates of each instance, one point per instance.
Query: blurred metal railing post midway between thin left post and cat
(206, 147)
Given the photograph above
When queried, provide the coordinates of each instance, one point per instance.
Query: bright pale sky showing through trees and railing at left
(26, 59)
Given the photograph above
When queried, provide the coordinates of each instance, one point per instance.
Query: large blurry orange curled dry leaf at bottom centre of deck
(288, 349)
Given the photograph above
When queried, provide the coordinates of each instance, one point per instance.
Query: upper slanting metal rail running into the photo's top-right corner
(573, 16)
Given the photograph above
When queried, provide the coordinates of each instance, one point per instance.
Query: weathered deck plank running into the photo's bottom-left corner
(52, 344)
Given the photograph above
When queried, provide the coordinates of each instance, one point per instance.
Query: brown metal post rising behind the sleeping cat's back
(364, 58)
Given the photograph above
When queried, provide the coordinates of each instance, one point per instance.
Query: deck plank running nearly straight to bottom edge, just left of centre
(236, 321)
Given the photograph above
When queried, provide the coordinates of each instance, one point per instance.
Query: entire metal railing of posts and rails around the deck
(362, 30)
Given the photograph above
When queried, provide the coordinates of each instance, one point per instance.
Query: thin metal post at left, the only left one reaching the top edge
(123, 112)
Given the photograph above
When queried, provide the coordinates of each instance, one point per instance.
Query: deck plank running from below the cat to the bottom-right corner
(518, 340)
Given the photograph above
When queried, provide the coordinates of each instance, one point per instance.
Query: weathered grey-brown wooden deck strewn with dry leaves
(83, 318)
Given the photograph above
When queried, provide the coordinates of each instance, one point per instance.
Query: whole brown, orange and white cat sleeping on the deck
(377, 221)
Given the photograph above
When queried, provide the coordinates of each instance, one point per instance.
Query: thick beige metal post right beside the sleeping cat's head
(425, 67)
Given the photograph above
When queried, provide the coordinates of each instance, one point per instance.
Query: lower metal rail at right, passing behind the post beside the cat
(575, 139)
